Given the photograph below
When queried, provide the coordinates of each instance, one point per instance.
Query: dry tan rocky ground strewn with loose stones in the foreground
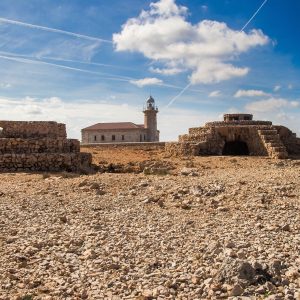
(201, 228)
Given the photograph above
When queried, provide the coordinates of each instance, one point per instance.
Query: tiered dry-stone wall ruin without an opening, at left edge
(39, 146)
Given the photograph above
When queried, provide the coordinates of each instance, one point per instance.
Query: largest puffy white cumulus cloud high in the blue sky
(208, 48)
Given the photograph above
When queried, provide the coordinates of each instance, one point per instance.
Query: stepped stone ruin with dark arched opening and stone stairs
(238, 134)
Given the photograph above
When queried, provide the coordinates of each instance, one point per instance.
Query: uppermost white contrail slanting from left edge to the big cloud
(49, 29)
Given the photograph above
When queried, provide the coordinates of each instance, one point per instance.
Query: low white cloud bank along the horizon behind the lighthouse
(171, 122)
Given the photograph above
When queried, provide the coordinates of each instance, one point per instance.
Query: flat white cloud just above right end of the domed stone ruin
(271, 104)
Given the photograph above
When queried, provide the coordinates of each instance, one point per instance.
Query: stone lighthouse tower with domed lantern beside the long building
(150, 120)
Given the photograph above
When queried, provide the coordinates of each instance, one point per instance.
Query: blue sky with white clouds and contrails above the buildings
(82, 62)
